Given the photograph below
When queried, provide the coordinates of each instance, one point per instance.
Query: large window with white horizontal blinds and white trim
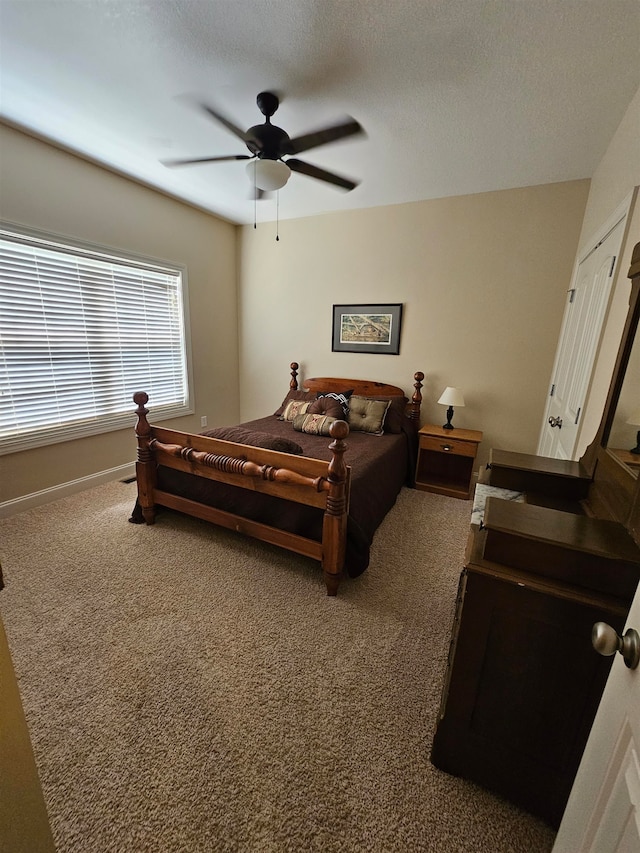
(80, 331)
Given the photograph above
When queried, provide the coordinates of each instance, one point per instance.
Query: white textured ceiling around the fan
(456, 96)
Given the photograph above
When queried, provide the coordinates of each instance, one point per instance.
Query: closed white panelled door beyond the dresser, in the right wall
(587, 303)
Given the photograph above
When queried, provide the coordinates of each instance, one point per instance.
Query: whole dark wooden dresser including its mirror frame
(523, 681)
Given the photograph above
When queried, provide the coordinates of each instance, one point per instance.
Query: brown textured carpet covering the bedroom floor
(188, 689)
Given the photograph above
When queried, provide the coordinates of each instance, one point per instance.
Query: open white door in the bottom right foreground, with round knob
(603, 812)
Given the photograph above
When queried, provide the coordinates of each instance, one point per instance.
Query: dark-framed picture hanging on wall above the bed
(373, 328)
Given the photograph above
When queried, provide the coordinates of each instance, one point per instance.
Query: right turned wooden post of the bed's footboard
(334, 528)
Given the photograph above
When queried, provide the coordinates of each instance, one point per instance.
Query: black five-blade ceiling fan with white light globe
(268, 145)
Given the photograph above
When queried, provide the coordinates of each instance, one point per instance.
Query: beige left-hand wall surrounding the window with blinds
(49, 189)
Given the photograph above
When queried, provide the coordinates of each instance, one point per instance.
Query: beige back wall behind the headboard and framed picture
(483, 280)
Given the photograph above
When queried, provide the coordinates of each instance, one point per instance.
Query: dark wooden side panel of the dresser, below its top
(522, 691)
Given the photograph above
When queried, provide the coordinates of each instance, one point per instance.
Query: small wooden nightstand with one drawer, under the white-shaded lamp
(445, 460)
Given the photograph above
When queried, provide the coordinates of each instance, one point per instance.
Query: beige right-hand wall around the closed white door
(616, 176)
